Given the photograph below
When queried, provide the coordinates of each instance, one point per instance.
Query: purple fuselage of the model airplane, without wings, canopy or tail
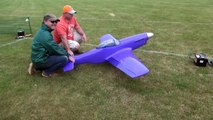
(101, 54)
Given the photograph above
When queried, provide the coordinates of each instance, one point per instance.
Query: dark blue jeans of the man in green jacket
(53, 63)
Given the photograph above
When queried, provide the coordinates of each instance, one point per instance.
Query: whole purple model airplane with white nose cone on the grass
(118, 53)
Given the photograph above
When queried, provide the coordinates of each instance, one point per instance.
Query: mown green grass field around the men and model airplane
(175, 89)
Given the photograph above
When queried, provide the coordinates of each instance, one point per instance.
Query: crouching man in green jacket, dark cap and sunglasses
(46, 55)
